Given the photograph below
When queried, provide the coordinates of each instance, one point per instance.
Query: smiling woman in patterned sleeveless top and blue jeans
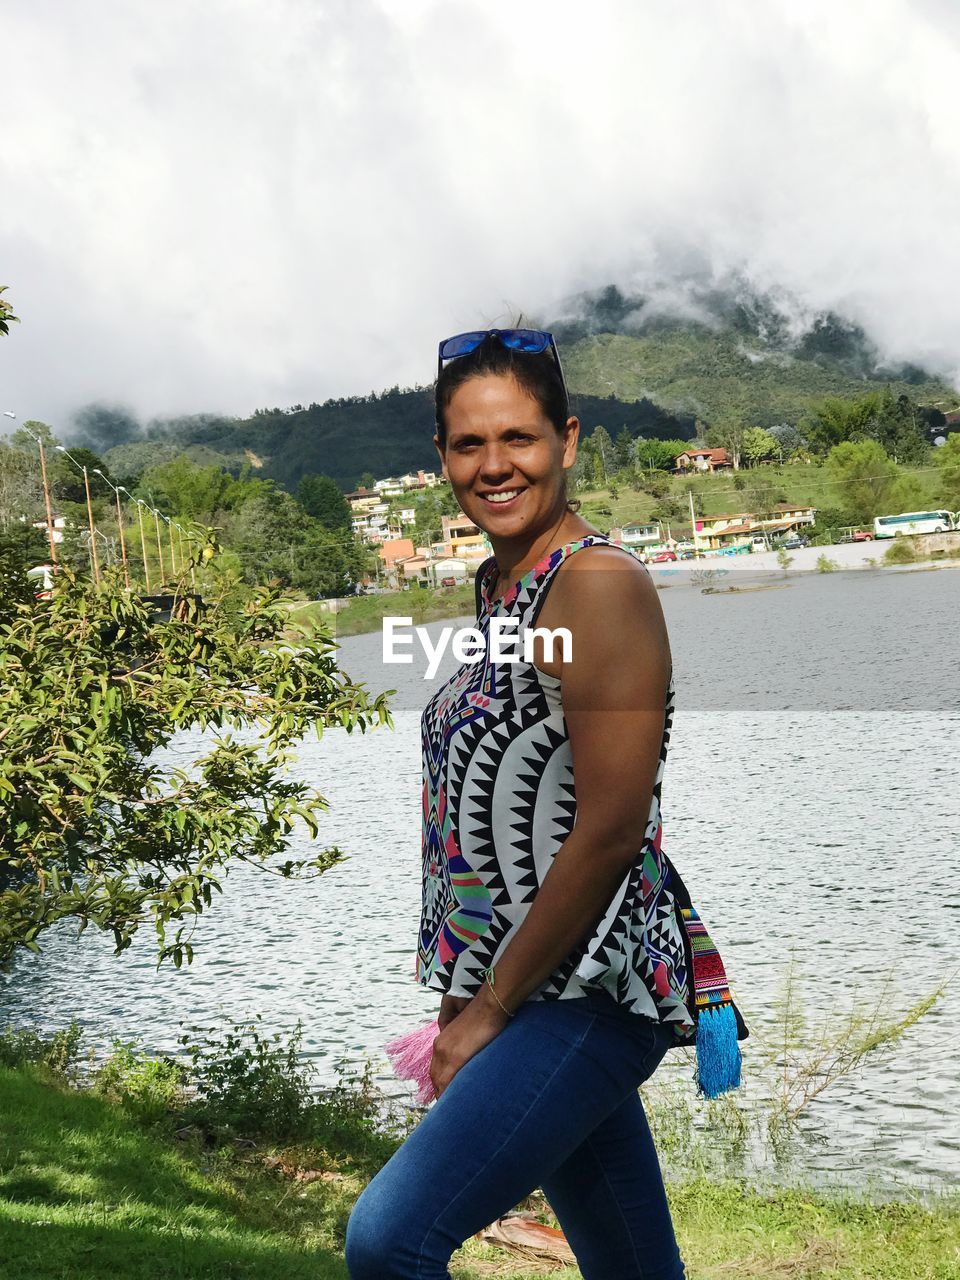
(551, 921)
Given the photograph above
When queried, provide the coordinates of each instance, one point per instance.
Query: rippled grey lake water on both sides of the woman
(811, 802)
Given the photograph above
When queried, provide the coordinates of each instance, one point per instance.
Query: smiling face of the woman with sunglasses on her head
(504, 459)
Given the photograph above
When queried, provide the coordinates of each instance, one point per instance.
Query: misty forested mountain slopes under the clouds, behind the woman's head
(629, 365)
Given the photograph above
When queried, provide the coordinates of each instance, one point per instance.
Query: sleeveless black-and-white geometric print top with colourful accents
(499, 802)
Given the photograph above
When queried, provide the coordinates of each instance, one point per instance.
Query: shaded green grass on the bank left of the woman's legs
(86, 1195)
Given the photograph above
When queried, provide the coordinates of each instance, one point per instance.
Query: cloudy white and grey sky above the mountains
(232, 204)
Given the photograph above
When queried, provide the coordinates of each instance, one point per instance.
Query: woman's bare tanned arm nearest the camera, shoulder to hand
(615, 691)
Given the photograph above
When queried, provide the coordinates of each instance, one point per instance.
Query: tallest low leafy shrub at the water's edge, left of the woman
(248, 1082)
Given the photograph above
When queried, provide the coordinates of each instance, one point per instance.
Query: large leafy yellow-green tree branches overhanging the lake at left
(94, 683)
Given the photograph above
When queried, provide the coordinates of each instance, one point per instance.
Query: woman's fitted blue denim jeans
(551, 1103)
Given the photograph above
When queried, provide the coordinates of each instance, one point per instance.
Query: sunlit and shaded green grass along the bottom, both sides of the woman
(88, 1192)
